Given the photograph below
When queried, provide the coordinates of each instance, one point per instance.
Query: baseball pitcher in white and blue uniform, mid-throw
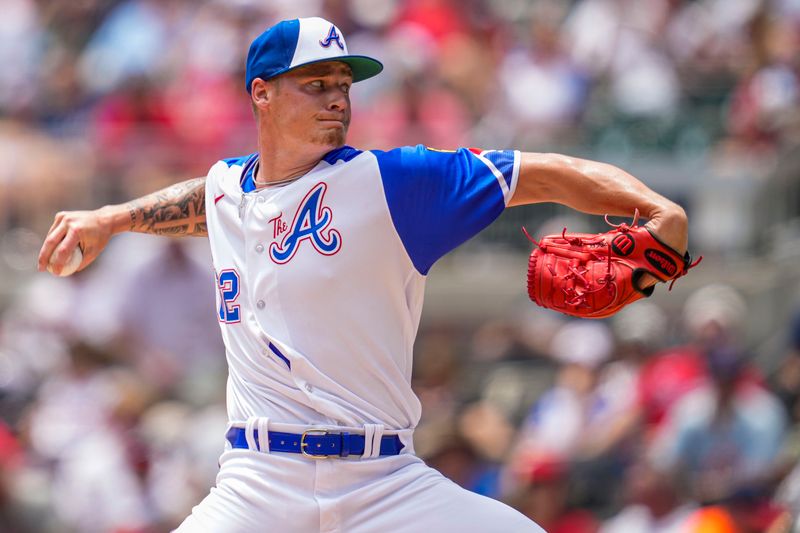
(320, 252)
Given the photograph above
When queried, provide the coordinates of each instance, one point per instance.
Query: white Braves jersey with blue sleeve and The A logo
(321, 280)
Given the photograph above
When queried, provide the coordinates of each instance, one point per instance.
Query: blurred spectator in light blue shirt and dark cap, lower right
(724, 436)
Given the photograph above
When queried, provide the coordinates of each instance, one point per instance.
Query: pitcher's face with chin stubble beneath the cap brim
(312, 105)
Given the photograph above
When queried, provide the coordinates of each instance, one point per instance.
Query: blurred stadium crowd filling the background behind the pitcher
(680, 414)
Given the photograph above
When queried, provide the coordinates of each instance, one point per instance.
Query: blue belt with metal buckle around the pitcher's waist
(316, 443)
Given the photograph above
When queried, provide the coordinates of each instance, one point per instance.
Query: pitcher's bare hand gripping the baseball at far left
(91, 230)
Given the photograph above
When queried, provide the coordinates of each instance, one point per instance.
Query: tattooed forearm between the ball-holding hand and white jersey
(177, 210)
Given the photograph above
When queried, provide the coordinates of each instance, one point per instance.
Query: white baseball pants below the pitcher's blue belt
(258, 491)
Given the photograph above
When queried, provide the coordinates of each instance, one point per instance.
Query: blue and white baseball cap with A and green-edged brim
(293, 43)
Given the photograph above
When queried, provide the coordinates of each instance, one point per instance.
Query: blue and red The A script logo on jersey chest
(309, 226)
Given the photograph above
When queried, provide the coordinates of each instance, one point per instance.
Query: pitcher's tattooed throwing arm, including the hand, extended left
(177, 210)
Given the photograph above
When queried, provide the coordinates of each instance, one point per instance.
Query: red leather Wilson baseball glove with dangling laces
(595, 275)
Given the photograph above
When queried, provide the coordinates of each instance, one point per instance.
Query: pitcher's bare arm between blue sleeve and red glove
(598, 188)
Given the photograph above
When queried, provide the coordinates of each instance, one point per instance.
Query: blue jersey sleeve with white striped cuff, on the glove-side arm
(440, 199)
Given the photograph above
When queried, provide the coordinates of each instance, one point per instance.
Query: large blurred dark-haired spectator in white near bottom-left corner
(74, 426)
